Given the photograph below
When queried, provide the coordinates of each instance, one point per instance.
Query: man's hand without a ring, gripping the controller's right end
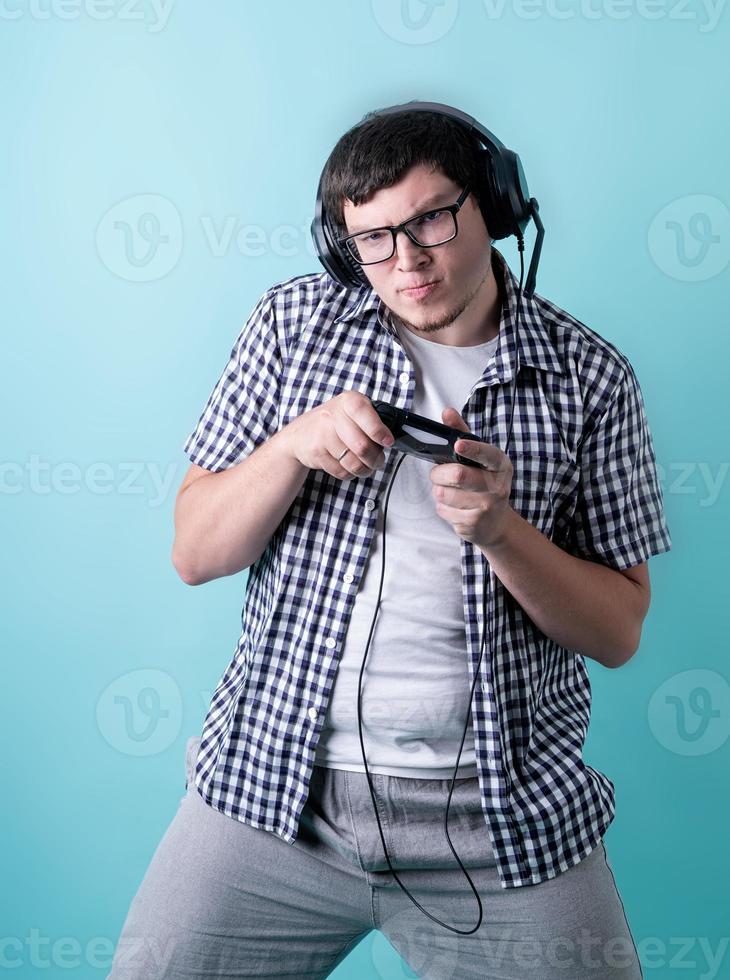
(474, 501)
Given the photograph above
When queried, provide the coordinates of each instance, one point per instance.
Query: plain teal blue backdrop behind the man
(228, 112)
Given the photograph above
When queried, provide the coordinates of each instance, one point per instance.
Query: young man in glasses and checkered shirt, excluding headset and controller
(273, 865)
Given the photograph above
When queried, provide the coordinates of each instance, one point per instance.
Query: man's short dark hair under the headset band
(380, 150)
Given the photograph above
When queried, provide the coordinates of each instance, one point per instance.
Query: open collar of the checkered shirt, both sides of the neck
(535, 346)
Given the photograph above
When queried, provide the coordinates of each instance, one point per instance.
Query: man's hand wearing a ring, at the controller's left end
(347, 421)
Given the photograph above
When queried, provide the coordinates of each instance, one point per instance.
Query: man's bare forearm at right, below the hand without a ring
(581, 605)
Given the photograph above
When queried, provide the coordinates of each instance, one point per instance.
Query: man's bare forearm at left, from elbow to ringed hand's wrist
(224, 521)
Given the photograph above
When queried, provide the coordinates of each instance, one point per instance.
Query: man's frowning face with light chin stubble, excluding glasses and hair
(465, 288)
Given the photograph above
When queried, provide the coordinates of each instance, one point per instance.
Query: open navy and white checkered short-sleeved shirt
(584, 475)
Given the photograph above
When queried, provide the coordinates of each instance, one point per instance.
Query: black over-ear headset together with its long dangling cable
(507, 209)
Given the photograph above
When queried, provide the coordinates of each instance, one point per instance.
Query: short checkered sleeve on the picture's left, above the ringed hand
(242, 410)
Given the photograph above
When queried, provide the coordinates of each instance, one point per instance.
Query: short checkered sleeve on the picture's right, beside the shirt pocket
(619, 516)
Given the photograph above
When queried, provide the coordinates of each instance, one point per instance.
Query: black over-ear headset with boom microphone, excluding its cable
(502, 193)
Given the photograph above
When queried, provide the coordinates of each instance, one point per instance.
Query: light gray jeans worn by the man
(223, 899)
